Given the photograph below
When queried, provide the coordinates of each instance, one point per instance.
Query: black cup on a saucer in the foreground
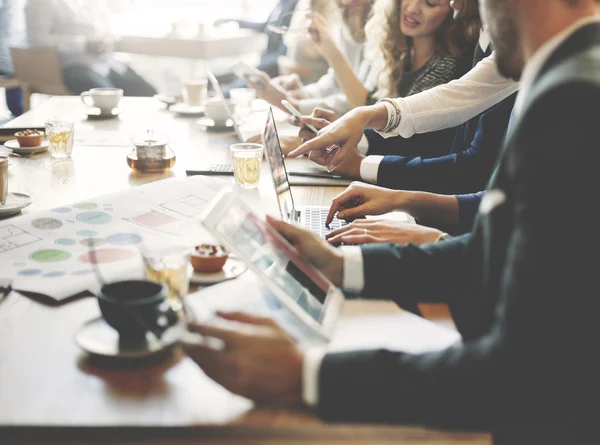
(134, 308)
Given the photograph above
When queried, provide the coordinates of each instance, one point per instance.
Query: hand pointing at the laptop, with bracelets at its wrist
(345, 133)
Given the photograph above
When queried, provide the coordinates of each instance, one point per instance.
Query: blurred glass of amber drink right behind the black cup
(171, 267)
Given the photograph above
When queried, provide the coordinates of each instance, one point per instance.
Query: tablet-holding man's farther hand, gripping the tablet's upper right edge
(326, 259)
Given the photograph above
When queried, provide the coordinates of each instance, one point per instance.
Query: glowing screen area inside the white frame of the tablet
(275, 258)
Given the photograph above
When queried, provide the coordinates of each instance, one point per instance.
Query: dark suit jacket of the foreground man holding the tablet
(523, 283)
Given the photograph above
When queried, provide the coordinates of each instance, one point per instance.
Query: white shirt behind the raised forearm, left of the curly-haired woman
(326, 93)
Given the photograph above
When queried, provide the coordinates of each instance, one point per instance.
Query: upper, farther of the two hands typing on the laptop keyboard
(360, 200)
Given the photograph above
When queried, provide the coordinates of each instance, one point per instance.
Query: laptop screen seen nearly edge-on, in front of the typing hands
(278, 170)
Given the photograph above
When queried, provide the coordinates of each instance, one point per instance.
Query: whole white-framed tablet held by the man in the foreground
(292, 280)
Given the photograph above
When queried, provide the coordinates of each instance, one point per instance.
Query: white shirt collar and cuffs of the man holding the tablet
(353, 266)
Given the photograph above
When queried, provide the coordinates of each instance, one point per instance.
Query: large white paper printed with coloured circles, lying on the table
(59, 252)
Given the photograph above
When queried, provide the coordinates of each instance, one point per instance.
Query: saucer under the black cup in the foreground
(98, 338)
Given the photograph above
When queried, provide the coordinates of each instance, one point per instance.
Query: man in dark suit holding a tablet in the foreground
(524, 290)
